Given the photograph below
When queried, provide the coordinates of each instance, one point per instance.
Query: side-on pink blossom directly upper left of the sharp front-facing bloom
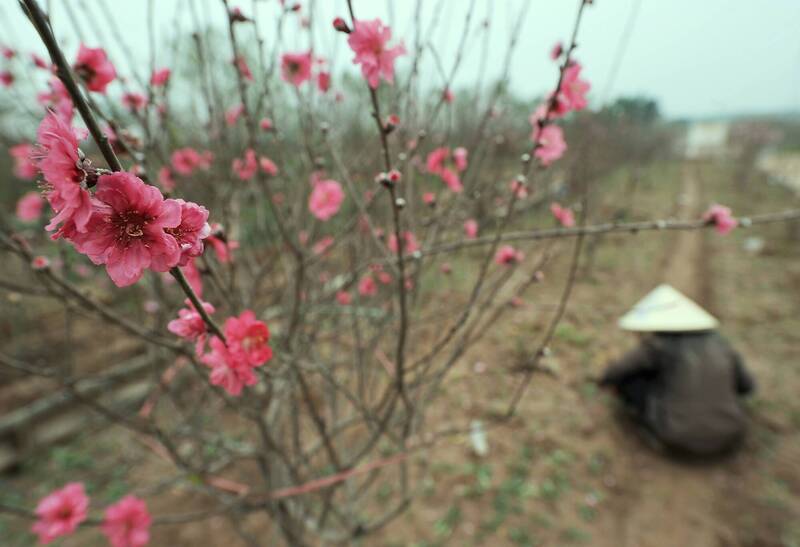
(58, 158)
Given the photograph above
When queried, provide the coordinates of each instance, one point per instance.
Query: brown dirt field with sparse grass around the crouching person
(564, 470)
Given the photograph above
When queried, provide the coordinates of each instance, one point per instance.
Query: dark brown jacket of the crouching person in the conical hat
(694, 380)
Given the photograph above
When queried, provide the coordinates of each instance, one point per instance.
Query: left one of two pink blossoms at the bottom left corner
(61, 512)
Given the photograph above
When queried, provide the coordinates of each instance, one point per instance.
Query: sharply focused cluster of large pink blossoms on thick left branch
(126, 225)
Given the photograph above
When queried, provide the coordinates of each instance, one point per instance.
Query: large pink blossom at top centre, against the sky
(369, 42)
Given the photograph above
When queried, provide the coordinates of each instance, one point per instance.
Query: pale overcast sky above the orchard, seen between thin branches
(697, 57)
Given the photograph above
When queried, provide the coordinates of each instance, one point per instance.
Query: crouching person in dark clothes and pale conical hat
(683, 381)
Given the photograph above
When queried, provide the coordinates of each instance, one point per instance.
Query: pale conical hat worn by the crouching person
(665, 309)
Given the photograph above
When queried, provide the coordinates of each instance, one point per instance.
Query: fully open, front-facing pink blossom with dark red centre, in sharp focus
(126, 229)
